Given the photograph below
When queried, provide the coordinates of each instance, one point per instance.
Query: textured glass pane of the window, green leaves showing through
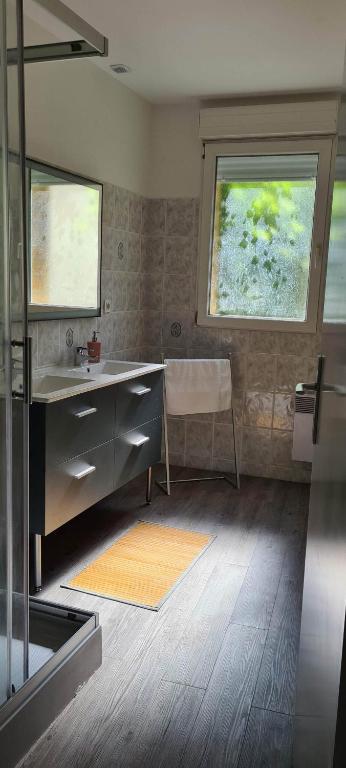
(262, 232)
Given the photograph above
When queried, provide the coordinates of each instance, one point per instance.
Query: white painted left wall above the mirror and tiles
(82, 119)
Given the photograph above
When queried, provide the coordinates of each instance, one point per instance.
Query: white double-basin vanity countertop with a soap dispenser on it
(48, 385)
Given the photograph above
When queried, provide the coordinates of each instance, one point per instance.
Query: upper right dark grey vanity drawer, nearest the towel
(138, 401)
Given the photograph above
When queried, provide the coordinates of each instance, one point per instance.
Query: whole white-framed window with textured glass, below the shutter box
(262, 231)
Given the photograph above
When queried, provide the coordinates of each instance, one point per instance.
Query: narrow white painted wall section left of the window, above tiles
(175, 152)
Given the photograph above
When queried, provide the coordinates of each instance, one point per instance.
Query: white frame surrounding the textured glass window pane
(323, 147)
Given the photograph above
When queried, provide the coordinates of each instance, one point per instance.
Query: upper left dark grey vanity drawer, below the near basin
(79, 423)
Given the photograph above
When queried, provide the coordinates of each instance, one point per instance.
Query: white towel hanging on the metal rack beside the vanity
(197, 386)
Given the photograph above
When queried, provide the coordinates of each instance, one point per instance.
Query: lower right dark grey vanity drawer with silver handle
(137, 450)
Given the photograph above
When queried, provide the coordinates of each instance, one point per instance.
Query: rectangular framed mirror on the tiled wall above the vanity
(64, 224)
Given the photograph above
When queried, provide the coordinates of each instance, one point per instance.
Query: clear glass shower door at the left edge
(14, 363)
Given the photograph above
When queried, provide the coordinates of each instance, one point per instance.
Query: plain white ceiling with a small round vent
(188, 49)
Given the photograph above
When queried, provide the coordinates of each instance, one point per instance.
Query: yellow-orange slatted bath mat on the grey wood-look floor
(143, 565)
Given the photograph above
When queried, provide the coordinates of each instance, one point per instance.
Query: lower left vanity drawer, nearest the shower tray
(75, 485)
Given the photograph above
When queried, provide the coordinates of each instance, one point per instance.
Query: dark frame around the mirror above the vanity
(50, 312)
